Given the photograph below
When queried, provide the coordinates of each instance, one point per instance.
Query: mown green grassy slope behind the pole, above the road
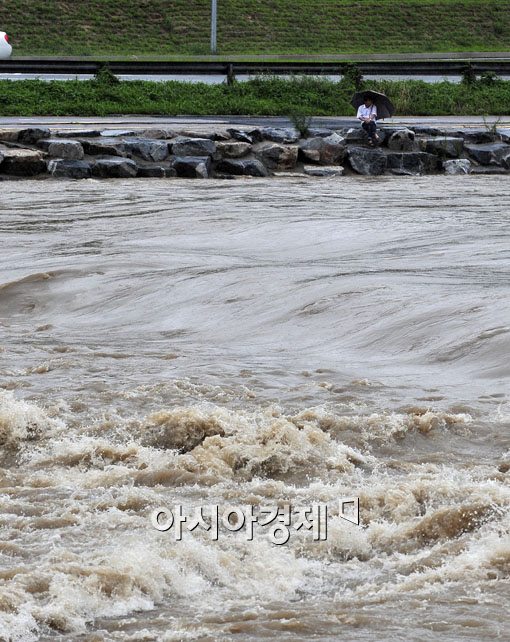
(166, 27)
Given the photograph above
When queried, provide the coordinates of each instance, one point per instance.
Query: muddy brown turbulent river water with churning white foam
(255, 343)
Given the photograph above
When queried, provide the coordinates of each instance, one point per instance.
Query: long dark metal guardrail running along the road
(224, 67)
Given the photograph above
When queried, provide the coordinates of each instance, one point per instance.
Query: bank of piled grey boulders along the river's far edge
(262, 151)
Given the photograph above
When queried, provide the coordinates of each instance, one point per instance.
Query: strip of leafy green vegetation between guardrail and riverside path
(261, 96)
